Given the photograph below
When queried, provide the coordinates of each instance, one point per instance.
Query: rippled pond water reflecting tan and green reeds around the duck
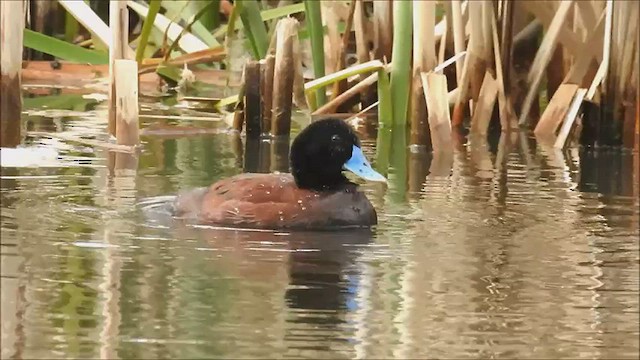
(513, 251)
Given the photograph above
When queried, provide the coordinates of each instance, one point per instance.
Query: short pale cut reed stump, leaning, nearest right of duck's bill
(435, 92)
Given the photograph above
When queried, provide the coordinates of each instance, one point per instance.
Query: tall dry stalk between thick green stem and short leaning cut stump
(424, 59)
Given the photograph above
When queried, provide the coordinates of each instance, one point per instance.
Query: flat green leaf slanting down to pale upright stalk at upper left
(62, 49)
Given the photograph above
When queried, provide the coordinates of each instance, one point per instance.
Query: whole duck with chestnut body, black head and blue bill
(314, 195)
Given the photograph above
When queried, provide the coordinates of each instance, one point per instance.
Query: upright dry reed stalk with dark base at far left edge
(11, 36)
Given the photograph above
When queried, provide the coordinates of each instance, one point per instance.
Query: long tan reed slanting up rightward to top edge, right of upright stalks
(543, 57)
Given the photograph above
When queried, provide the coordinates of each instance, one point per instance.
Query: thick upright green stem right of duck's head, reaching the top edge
(401, 60)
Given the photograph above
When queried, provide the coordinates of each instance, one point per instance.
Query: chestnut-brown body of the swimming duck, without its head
(273, 201)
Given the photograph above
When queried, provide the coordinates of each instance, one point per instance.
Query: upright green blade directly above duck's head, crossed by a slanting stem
(316, 32)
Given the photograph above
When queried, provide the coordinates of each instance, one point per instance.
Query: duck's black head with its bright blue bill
(323, 150)
